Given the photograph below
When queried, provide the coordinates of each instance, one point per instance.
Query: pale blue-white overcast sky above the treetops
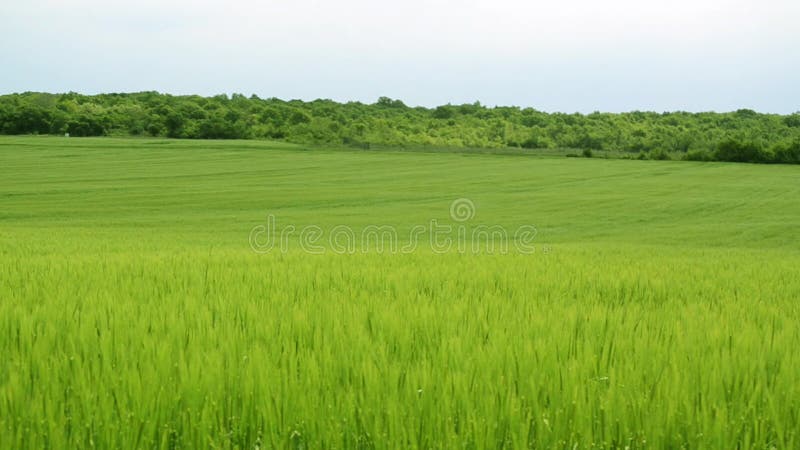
(559, 55)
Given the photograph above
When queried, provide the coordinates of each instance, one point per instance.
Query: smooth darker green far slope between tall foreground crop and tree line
(192, 189)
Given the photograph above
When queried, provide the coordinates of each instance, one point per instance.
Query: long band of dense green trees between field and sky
(743, 135)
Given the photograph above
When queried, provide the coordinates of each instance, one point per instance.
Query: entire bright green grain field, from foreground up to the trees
(658, 310)
